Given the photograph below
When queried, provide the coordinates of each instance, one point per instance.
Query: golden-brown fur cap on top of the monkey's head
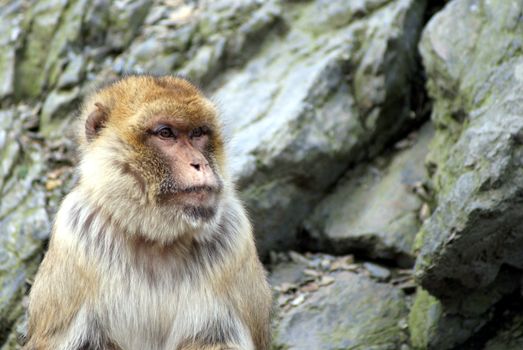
(132, 101)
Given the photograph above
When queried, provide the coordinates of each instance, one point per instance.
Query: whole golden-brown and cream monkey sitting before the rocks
(152, 249)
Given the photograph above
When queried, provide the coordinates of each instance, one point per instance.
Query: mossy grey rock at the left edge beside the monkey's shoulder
(24, 224)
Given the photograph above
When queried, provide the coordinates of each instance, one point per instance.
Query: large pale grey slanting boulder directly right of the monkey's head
(329, 91)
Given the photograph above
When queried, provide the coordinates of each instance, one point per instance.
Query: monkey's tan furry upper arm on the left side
(58, 312)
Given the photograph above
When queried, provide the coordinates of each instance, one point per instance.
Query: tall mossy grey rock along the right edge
(470, 51)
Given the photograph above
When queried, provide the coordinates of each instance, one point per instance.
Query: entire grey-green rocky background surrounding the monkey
(378, 145)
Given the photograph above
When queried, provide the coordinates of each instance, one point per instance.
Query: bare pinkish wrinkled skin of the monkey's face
(186, 153)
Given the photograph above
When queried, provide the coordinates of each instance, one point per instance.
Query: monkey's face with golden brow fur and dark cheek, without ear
(176, 147)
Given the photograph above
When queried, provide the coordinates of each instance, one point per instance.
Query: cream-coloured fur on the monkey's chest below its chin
(151, 298)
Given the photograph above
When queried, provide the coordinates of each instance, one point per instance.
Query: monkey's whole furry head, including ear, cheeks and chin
(152, 150)
